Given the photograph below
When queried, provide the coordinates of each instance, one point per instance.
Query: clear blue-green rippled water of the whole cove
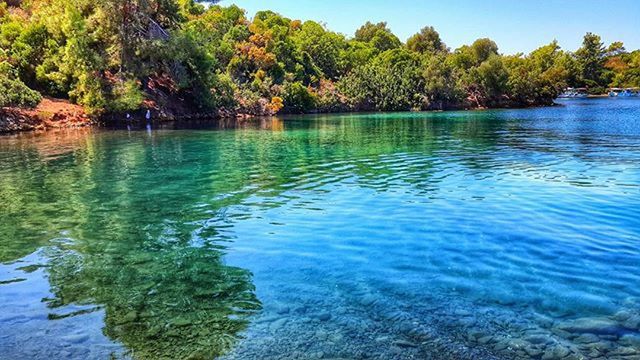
(464, 235)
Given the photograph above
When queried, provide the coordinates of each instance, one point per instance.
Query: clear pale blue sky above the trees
(516, 25)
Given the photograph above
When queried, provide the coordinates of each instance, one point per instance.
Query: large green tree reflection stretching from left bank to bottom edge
(108, 242)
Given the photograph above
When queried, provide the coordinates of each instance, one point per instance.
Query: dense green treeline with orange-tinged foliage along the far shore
(113, 56)
